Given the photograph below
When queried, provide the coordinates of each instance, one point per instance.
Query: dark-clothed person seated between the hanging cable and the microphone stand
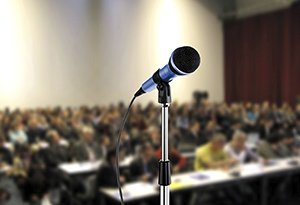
(145, 167)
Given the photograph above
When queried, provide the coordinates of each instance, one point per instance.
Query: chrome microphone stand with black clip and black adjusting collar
(164, 179)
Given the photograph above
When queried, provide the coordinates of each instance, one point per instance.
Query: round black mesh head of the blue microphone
(184, 60)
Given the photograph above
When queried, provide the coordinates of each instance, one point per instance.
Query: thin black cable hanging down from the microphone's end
(118, 149)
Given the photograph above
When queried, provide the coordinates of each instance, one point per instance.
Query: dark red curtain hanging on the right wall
(262, 57)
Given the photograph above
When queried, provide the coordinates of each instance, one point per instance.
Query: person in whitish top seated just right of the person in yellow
(237, 150)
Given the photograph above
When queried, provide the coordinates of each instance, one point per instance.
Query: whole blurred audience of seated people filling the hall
(34, 142)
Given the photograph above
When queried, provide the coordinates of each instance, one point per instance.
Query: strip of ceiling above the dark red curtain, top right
(228, 9)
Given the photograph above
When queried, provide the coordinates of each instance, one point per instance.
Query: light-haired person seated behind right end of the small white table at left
(86, 149)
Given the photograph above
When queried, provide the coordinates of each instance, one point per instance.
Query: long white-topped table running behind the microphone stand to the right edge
(197, 180)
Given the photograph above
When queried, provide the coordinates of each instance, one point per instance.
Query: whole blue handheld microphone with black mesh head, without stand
(184, 60)
